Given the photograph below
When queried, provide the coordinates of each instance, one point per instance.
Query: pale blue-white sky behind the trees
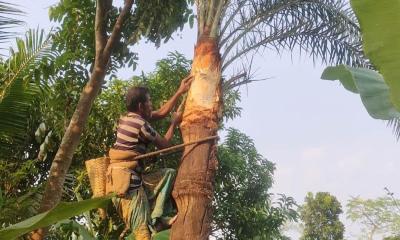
(319, 135)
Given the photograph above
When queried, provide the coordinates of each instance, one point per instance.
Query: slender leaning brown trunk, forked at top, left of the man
(62, 161)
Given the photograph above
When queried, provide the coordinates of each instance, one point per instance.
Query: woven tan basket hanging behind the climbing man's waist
(97, 169)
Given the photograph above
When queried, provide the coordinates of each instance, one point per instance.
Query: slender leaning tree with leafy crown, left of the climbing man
(112, 29)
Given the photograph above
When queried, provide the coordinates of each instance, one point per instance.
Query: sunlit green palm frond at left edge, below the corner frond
(21, 83)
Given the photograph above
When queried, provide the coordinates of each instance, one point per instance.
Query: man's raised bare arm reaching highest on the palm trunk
(167, 107)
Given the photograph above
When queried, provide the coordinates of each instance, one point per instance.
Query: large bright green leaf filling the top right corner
(381, 45)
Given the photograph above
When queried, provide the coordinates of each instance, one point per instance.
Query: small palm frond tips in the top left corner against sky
(8, 12)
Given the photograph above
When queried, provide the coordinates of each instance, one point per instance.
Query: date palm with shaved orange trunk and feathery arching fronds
(228, 31)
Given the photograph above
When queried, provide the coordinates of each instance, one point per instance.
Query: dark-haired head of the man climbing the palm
(138, 100)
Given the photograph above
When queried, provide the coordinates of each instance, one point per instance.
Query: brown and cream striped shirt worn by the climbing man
(134, 133)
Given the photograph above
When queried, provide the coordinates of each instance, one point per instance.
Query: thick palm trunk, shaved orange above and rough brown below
(194, 185)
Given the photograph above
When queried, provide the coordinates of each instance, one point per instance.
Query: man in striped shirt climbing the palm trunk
(126, 176)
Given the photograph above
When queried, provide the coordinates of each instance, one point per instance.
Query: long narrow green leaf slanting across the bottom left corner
(62, 211)
